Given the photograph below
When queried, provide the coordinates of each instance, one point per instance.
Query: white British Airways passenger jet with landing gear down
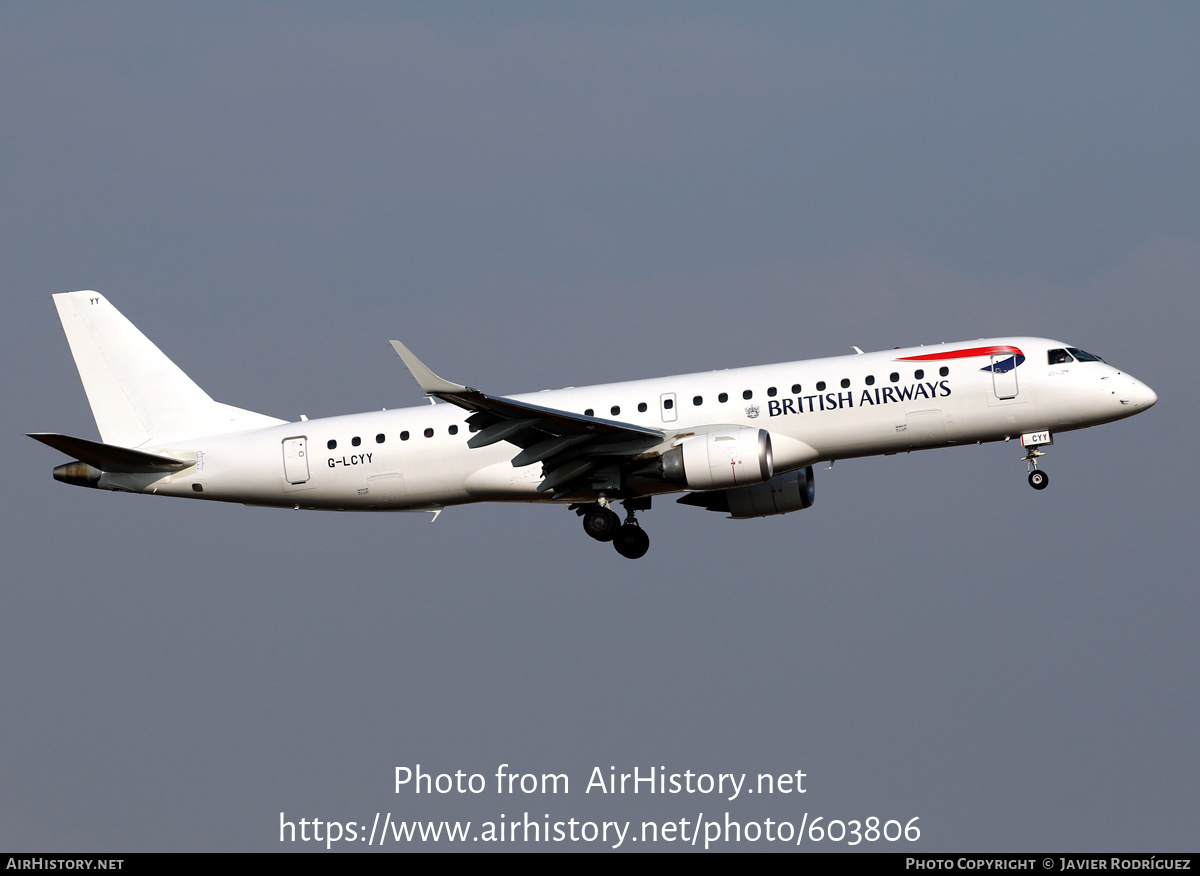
(741, 442)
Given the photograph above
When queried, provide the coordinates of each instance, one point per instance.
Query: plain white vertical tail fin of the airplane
(137, 394)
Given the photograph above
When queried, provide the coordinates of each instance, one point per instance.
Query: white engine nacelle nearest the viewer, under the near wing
(730, 459)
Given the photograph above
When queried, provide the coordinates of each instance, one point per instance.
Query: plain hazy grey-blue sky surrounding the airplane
(541, 196)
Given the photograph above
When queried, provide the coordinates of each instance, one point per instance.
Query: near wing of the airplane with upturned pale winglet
(571, 447)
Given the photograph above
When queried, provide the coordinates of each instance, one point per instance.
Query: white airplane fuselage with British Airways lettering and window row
(817, 410)
